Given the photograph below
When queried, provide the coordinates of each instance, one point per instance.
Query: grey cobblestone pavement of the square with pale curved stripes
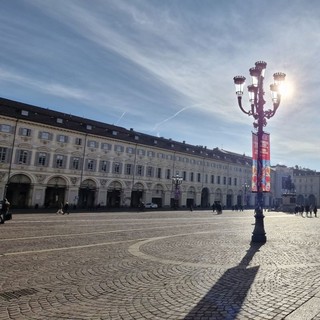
(159, 265)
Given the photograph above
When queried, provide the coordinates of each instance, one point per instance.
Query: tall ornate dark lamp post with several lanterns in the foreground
(260, 116)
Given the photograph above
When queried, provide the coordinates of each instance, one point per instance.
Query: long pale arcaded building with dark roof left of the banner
(49, 157)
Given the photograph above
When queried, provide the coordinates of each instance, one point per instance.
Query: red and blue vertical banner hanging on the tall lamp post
(265, 177)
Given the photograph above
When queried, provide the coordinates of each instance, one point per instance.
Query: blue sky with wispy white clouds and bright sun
(166, 67)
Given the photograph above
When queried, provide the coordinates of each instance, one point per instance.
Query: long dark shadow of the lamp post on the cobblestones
(225, 298)
